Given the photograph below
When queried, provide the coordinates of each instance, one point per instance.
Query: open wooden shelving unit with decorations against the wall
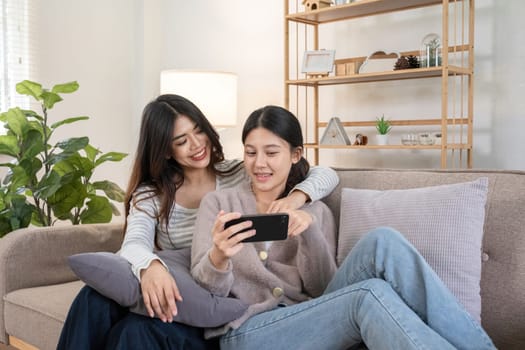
(445, 74)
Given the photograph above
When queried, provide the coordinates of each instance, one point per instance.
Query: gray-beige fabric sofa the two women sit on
(37, 286)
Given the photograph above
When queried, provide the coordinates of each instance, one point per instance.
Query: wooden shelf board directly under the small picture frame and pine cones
(415, 73)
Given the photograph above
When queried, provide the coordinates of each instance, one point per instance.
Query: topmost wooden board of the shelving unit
(358, 9)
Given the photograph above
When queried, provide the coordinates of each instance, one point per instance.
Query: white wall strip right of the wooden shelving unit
(500, 84)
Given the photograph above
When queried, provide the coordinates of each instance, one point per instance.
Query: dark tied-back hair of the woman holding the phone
(284, 124)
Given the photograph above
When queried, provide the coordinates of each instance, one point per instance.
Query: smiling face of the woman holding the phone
(268, 159)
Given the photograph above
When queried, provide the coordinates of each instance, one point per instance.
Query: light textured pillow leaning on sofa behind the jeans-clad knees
(444, 223)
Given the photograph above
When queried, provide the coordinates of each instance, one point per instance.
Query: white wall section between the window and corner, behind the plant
(93, 43)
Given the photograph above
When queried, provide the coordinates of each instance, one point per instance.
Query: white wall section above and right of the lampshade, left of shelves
(244, 37)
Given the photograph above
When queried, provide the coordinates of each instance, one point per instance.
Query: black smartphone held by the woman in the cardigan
(268, 227)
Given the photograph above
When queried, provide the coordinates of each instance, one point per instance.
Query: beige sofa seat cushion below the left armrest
(36, 315)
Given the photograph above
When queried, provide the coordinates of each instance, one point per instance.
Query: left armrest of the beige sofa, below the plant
(37, 256)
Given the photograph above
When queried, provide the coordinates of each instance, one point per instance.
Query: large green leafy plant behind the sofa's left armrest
(47, 182)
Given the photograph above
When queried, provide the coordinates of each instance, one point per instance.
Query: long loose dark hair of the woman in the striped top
(153, 165)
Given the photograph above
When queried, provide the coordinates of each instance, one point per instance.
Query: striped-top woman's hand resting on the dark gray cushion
(159, 291)
